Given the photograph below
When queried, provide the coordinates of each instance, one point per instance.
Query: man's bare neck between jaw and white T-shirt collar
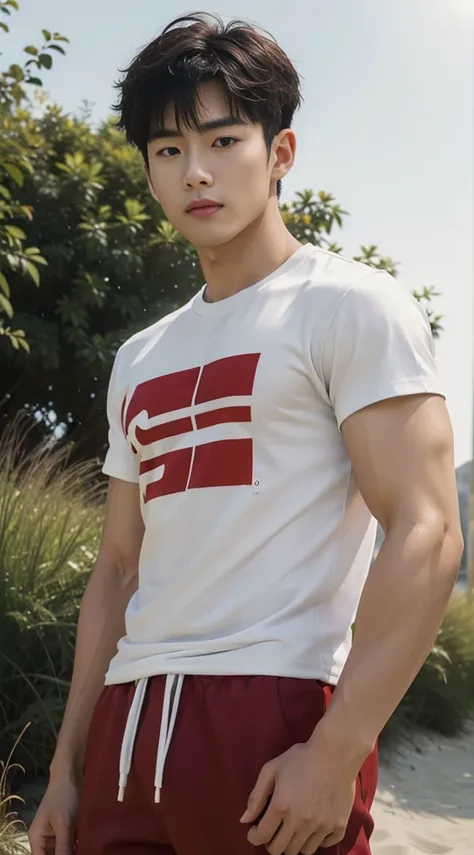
(250, 257)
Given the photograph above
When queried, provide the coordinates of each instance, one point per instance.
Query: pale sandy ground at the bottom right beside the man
(425, 802)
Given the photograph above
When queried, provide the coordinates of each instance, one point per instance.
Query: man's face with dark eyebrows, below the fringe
(228, 166)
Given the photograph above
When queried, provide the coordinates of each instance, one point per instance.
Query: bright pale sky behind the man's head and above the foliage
(387, 127)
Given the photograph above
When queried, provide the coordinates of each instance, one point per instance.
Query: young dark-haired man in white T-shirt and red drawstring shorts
(256, 435)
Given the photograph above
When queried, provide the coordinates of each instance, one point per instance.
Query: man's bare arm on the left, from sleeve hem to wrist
(101, 621)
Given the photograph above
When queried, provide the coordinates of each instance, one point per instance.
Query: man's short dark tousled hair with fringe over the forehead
(259, 81)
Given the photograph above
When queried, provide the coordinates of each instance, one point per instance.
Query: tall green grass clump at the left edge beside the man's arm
(50, 521)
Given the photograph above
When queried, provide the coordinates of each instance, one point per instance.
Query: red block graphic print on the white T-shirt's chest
(221, 463)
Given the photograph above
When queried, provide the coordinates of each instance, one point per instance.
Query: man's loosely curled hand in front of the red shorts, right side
(309, 806)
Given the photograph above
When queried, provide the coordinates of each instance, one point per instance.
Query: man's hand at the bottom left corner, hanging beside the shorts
(52, 831)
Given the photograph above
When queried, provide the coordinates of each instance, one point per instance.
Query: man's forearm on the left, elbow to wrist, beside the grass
(101, 624)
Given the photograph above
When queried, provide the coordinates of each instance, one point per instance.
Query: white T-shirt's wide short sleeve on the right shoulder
(379, 346)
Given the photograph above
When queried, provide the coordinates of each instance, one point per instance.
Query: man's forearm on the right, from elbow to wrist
(400, 612)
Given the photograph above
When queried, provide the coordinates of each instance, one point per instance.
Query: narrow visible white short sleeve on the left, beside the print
(120, 461)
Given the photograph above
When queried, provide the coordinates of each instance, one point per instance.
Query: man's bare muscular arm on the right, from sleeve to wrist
(402, 455)
